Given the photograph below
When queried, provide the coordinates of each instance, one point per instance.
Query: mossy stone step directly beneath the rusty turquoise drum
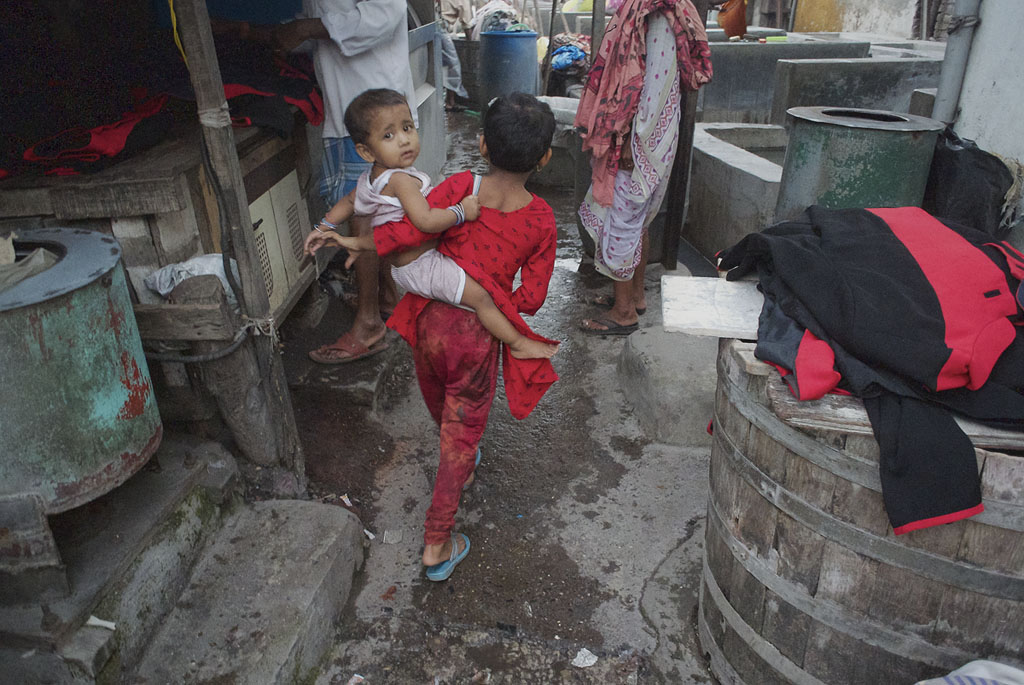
(126, 556)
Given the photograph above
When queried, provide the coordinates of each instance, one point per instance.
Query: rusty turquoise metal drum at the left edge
(77, 415)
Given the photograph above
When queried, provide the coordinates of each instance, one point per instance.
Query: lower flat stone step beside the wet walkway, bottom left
(264, 598)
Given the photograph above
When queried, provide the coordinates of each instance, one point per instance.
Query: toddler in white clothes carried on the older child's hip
(381, 126)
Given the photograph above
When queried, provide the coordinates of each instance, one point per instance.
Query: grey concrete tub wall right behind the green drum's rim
(872, 83)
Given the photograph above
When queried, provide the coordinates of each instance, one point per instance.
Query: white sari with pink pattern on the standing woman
(618, 231)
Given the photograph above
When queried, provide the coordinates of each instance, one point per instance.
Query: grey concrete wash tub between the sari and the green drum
(733, 191)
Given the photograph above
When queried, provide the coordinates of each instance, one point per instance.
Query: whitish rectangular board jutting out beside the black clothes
(711, 307)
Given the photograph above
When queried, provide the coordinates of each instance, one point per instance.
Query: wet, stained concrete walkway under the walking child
(585, 534)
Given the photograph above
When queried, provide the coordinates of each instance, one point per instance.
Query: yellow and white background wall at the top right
(891, 18)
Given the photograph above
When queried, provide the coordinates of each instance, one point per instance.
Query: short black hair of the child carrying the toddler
(518, 130)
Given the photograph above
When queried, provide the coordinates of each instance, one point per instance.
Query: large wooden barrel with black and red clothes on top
(804, 581)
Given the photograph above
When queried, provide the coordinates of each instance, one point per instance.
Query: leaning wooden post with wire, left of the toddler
(197, 40)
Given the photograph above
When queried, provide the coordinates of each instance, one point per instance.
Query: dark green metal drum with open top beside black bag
(849, 158)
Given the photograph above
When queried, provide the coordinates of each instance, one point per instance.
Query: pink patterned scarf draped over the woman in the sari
(613, 94)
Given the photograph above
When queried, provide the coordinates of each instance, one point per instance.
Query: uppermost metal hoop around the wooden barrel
(1000, 515)
